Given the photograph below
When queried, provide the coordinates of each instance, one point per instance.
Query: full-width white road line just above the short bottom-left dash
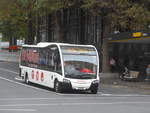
(72, 104)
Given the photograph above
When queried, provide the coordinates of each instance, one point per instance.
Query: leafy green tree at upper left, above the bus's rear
(22, 14)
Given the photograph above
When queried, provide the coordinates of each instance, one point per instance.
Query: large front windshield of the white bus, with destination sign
(79, 62)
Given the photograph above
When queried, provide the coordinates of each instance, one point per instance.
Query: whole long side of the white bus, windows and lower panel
(42, 65)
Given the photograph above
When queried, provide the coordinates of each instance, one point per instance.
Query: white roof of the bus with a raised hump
(45, 44)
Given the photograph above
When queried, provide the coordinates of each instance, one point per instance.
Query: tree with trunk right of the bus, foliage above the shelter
(122, 15)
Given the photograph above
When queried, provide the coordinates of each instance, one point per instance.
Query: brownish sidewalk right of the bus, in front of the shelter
(112, 79)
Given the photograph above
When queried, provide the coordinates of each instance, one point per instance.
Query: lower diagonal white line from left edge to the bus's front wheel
(23, 84)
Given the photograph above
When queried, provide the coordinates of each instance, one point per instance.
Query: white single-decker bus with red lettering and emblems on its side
(61, 66)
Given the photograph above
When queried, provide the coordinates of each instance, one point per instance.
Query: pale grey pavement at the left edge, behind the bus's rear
(7, 56)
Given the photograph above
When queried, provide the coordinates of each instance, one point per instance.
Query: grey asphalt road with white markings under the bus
(17, 97)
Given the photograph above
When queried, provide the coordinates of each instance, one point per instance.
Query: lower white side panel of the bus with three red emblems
(41, 77)
